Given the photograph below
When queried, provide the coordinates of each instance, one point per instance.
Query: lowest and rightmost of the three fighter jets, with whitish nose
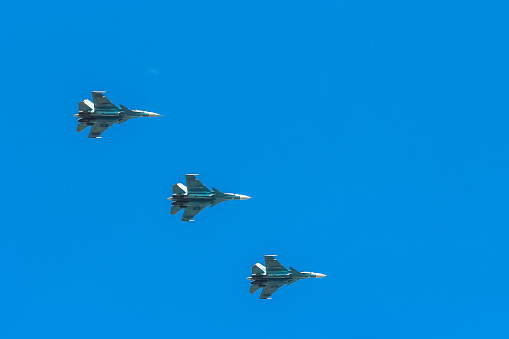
(274, 275)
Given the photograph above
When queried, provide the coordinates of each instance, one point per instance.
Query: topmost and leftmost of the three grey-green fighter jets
(102, 114)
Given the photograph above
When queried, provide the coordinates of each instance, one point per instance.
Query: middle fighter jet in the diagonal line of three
(196, 196)
